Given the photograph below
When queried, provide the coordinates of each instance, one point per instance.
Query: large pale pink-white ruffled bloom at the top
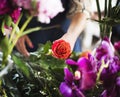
(48, 9)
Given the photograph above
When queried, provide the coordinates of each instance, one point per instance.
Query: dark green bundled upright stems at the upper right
(110, 18)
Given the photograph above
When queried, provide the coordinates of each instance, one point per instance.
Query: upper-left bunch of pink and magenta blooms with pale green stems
(11, 13)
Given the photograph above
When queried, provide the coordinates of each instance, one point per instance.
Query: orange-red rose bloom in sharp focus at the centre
(61, 49)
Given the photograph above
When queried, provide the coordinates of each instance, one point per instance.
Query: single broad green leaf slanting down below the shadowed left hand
(22, 65)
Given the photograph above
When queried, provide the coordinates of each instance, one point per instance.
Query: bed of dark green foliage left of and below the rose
(40, 75)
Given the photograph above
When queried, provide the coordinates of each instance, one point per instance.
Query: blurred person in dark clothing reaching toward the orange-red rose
(72, 22)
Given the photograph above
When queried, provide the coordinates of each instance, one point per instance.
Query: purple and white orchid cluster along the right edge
(109, 75)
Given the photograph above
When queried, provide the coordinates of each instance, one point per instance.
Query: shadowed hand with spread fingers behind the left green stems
(21, 47)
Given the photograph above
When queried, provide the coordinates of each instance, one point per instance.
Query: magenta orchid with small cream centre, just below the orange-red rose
(84, 77)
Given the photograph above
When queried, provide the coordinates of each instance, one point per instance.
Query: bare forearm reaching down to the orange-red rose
(77, 25)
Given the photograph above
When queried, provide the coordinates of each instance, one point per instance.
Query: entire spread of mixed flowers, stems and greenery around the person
(53, 70)
